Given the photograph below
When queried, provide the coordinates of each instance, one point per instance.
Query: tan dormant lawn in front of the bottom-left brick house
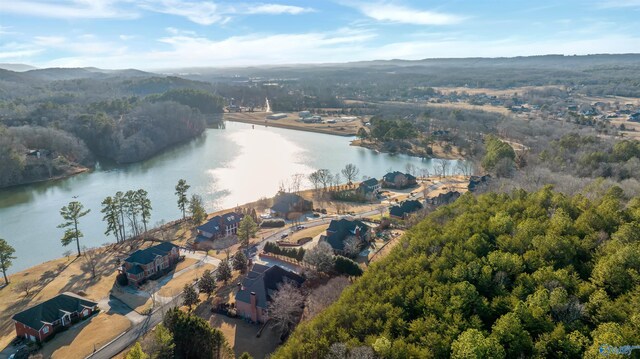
(79, 341)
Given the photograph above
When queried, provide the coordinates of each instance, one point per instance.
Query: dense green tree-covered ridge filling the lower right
(526, 274)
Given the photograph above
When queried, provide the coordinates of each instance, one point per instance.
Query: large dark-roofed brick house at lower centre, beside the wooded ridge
(257, 288)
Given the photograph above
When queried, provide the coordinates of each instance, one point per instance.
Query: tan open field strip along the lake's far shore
(258, 118)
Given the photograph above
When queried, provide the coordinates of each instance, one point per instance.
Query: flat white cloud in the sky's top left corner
(67, 9)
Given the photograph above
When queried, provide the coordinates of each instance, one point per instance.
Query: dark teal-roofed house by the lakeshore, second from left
(145, 263)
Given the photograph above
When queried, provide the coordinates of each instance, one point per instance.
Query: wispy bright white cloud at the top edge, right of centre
(388, 12)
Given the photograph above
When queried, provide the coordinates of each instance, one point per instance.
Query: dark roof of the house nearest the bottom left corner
(49, 311)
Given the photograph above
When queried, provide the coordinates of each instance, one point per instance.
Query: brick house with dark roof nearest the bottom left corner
(49, 317)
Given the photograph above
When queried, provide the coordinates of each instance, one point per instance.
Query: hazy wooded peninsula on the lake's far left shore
(59, 127)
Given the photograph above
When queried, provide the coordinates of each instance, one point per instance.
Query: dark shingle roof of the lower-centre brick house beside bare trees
(264, 282)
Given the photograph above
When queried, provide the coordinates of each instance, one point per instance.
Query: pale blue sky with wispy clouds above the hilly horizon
(155, 34)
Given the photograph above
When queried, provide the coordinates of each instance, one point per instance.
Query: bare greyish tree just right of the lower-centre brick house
(286, 306)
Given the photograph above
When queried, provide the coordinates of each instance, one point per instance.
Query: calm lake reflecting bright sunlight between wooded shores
(226, 167)
